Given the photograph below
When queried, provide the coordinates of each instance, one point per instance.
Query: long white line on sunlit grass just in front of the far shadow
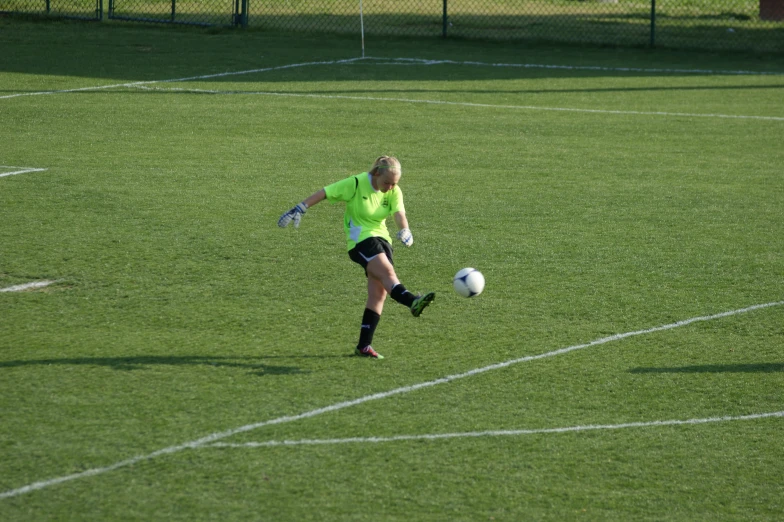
(466, 104)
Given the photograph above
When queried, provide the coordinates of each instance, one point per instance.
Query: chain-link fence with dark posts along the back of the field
(756, 25)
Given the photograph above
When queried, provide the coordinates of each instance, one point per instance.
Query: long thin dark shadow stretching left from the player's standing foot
(142, 361)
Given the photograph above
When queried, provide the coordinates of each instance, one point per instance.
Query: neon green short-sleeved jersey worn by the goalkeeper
(366, 208)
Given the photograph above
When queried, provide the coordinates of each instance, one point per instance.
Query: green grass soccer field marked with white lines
(608, 200)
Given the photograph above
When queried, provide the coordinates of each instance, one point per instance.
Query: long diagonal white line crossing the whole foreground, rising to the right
(367, 398)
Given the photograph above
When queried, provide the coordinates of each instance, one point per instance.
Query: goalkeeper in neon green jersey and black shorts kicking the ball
(370, 197)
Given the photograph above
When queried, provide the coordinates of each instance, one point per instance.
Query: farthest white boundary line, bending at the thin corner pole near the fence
(404, 61)
